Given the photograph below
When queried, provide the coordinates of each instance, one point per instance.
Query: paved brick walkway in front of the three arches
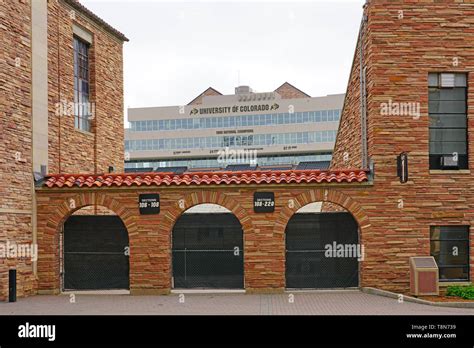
(319, 303)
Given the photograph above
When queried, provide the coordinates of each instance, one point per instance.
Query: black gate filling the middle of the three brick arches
(208, 252)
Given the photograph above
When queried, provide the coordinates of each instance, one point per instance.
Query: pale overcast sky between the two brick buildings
(179, 48)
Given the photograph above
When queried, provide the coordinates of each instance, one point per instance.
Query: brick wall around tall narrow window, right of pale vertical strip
(72, 150)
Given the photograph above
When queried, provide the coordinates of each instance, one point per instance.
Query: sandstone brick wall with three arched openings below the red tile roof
(150, 235)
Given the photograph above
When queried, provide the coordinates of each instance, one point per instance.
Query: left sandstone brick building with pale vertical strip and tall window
(61, 84)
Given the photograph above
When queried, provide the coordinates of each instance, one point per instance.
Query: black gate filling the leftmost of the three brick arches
(95, 254)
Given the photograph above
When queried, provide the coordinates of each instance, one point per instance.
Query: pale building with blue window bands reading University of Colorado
(283, 128)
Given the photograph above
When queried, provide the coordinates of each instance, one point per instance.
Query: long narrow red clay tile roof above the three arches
(206, 178)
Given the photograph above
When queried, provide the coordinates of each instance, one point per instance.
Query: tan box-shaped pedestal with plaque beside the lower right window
(424, 276)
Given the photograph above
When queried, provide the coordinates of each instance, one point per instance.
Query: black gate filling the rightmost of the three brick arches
(310, 262)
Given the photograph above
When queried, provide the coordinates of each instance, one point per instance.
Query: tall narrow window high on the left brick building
(83, 108)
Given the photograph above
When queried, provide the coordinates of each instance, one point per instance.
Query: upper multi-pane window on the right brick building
(448, 121)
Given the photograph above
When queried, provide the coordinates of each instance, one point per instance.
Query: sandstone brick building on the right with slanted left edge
(409, 52)
